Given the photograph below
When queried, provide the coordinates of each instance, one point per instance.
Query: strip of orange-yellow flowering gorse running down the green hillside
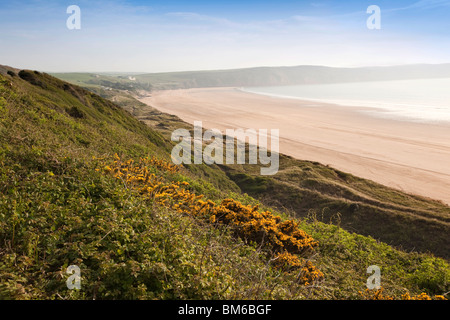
(261, 228)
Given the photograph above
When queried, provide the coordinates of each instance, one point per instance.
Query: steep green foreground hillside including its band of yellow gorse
(85, 183)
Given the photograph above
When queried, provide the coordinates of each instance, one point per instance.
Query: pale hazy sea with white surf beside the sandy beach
(418, 100)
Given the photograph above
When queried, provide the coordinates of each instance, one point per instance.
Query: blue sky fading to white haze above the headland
(163, 36)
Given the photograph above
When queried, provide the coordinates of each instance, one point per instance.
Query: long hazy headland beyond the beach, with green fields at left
(260, 76)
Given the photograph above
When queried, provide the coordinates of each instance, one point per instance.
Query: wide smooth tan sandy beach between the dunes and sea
(412, 157)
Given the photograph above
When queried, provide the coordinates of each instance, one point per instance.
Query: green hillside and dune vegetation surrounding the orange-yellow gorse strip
(58, 207)
